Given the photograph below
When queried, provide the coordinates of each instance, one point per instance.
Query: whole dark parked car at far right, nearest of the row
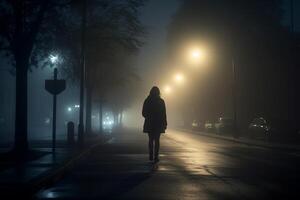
(272, 129)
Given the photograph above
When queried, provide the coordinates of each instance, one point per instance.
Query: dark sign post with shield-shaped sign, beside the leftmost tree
(54, 87)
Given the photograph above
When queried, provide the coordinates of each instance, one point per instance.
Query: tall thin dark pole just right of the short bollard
(82, 74)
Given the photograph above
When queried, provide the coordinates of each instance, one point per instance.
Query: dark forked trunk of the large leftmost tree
(22, 45)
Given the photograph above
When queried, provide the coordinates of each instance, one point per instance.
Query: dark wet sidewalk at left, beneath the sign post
(25, 178)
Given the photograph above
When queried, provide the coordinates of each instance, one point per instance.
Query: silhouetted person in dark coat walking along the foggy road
(154, 112)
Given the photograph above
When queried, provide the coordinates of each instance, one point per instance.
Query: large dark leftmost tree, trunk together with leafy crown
(24, 38)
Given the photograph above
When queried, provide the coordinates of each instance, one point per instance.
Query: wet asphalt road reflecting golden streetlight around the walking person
(191, 167)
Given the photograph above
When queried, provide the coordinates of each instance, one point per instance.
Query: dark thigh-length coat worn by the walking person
(154, 112)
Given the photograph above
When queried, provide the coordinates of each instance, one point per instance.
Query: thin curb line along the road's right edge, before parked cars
(270, 146)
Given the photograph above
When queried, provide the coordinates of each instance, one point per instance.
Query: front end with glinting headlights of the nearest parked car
(259, 129)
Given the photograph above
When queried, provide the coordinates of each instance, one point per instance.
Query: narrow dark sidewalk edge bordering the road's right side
(247, 141)
